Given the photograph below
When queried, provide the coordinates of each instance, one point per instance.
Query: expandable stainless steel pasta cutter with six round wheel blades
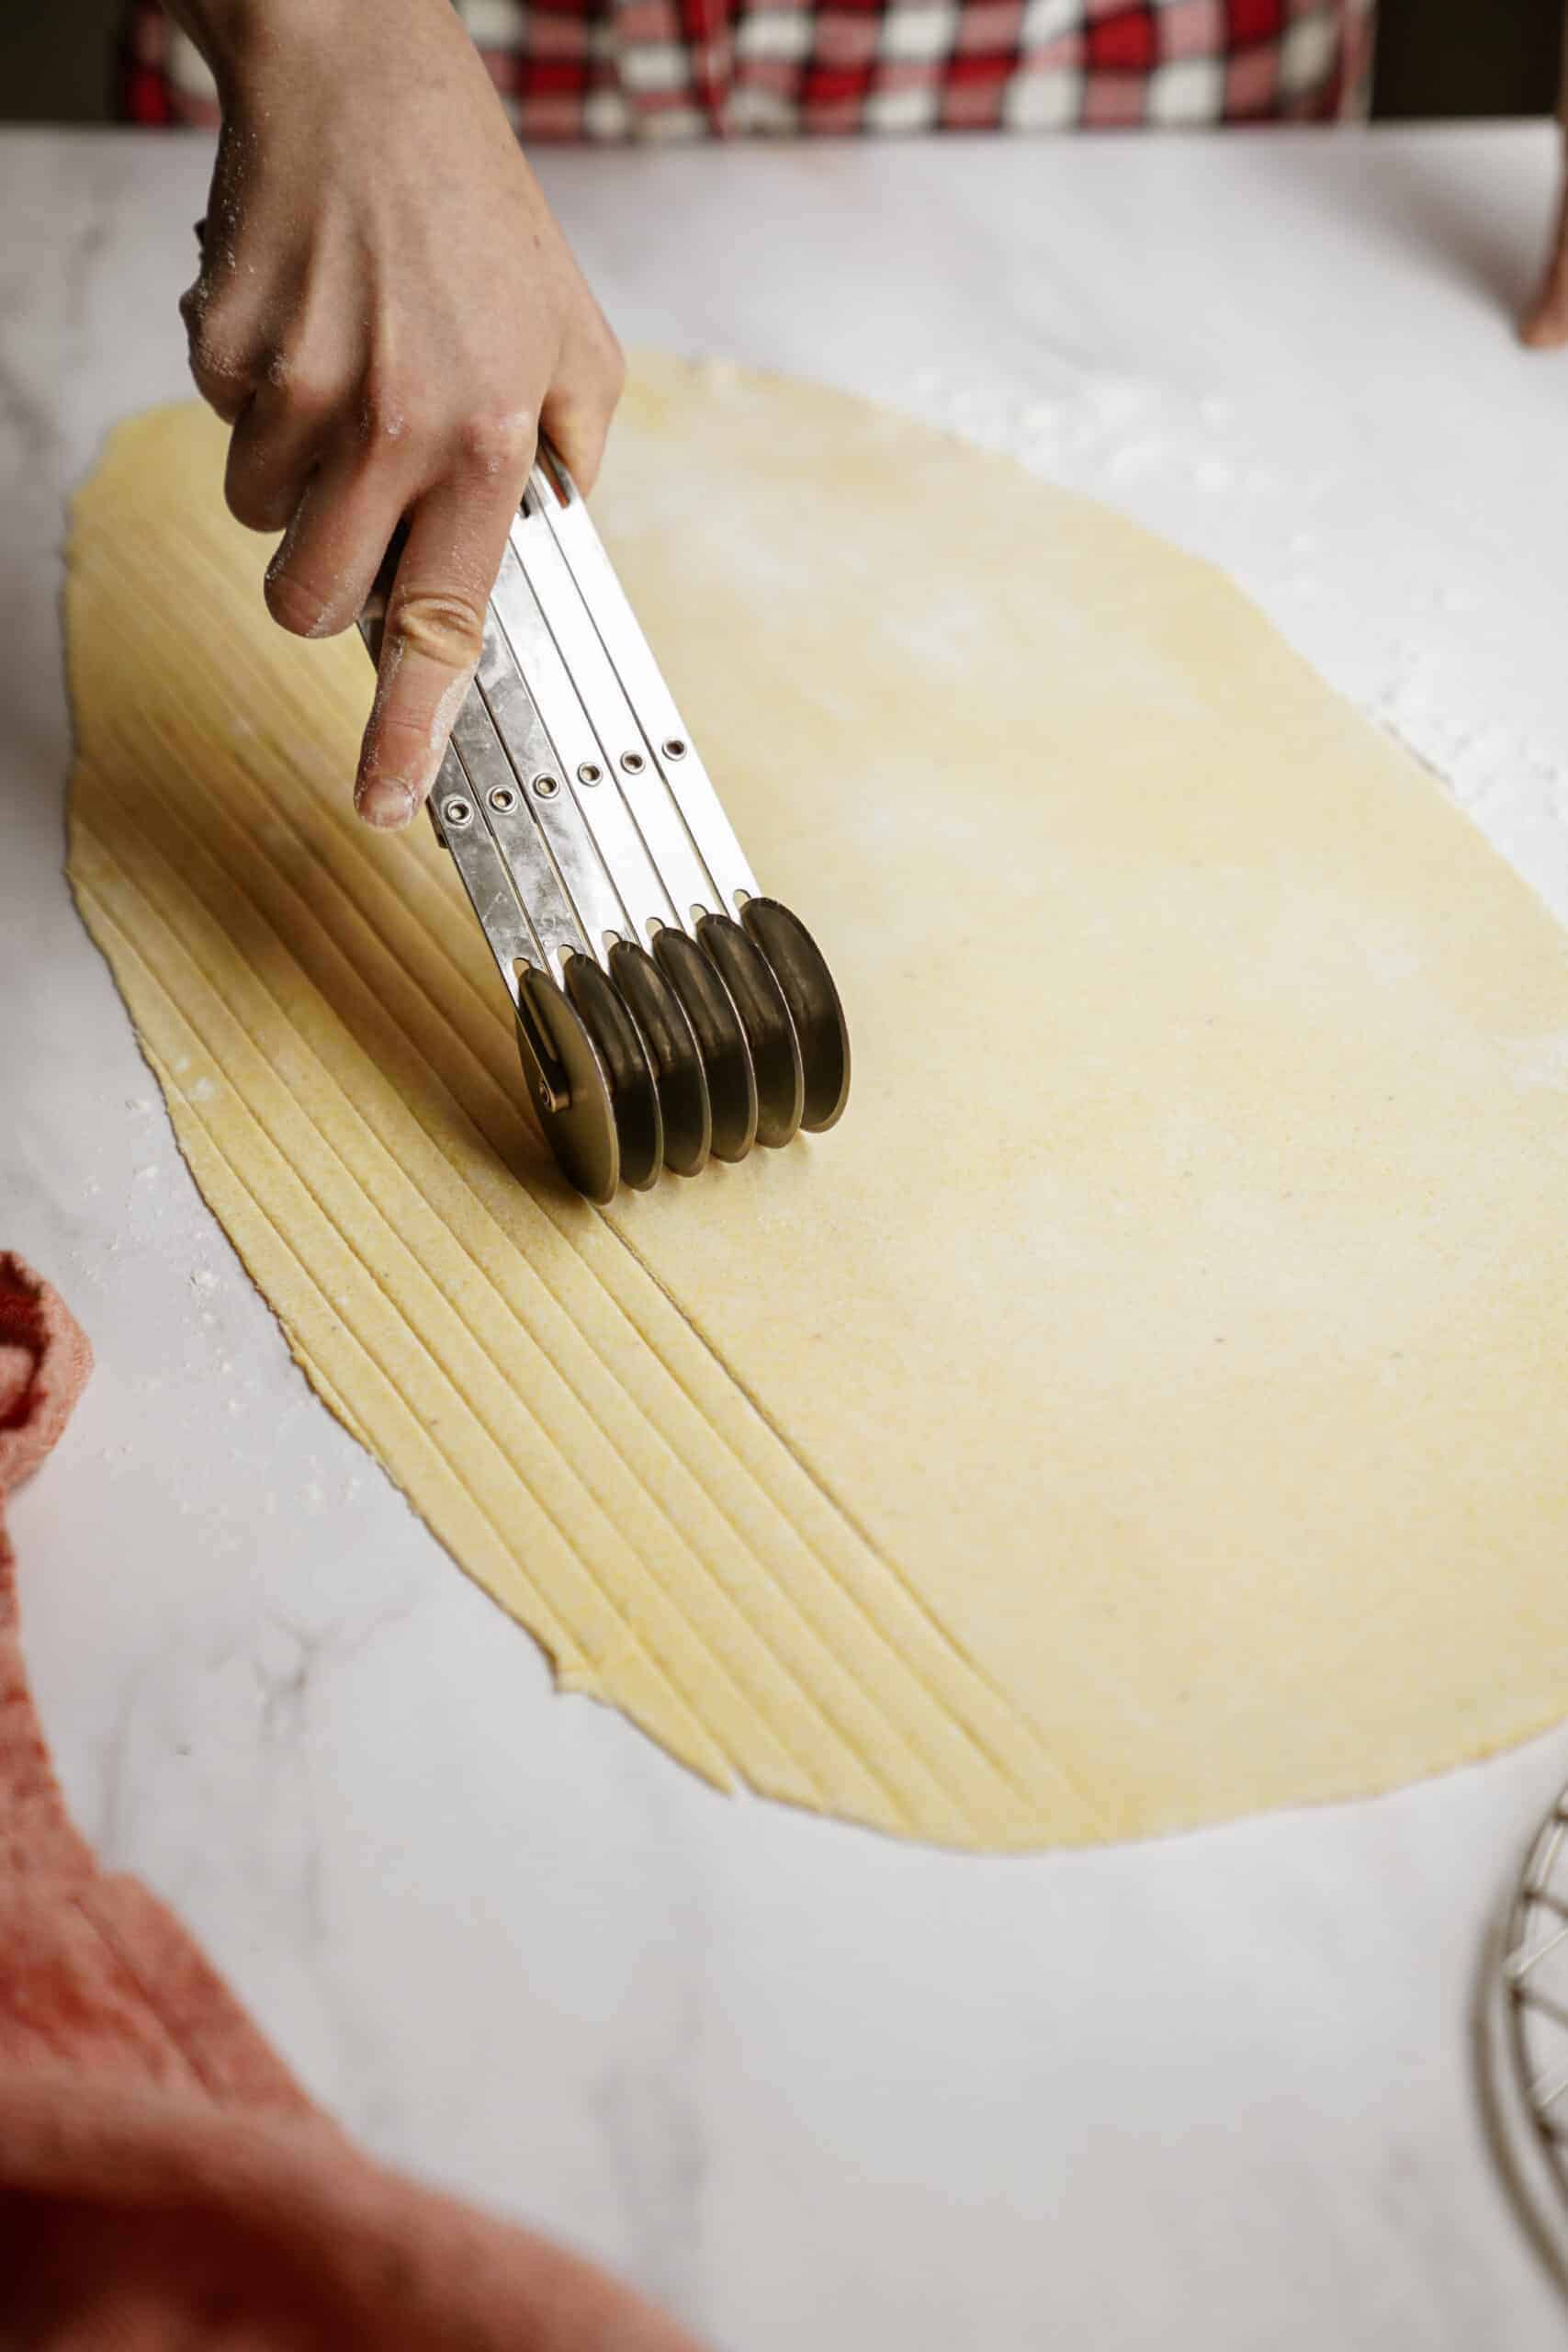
(666, 1013)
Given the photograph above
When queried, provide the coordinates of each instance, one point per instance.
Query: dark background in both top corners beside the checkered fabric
(1435, 58)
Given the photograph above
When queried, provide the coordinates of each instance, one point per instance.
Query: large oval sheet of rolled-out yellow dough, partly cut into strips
(1151, 1403)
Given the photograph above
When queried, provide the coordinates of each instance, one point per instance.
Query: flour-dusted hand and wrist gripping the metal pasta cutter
(387, 316)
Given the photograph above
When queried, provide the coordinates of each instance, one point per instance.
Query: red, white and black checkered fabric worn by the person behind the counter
(697, 69)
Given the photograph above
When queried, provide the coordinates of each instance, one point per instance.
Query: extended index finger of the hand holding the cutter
(431, 643)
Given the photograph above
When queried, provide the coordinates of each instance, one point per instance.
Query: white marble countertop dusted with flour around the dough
(812, 2087)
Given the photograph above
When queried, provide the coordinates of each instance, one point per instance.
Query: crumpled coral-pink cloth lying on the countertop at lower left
(163, 2181)
